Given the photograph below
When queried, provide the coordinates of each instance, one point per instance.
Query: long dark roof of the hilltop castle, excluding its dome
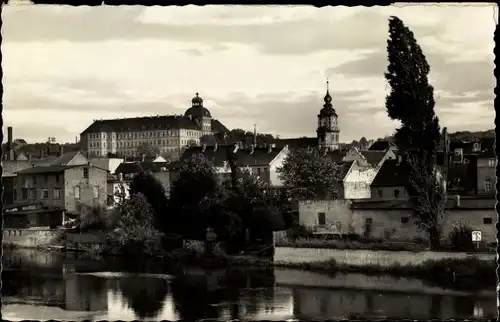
(148, 123)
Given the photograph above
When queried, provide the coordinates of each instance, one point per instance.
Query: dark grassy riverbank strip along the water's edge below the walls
(464, 272)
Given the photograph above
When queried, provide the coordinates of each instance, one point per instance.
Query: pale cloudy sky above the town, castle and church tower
(65, 66)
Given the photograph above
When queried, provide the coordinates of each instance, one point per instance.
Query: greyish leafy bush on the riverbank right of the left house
(135, 233)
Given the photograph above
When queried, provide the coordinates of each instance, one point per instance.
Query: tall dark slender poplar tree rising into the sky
(411, 102)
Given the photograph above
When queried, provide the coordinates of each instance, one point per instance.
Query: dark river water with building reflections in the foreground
(44, 286)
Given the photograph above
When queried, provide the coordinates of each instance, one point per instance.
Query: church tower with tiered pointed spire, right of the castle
(328, 128)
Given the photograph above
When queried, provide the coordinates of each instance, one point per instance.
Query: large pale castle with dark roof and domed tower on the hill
(167, 134)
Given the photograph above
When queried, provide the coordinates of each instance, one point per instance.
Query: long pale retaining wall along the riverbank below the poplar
(364, 257)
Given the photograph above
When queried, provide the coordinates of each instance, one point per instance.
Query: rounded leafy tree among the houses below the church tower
(310, 174)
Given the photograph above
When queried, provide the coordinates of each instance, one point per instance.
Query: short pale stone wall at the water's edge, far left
(31, 237)
